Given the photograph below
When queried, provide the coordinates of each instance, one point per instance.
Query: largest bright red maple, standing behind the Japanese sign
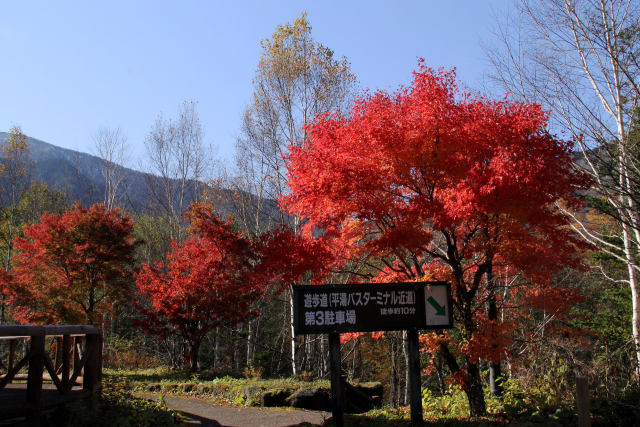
(432, 182)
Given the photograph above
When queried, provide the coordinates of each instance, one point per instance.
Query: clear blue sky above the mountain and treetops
(69, 68)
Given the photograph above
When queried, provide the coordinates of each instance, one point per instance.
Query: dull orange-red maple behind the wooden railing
(71, 268)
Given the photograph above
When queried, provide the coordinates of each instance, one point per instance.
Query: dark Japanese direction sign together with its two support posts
(335, 309)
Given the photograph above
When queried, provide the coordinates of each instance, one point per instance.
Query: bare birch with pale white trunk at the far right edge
(580, 59)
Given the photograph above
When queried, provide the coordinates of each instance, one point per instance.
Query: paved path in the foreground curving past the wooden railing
(203, 412)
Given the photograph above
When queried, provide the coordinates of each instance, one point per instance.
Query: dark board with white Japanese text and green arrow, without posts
(371, 307)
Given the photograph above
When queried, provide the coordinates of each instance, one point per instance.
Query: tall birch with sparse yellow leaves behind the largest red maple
(296, 79)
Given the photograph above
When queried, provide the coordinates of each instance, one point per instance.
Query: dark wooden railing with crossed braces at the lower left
(78, 355)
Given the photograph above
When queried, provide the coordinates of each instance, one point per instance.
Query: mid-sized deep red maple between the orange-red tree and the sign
(214, 277)
